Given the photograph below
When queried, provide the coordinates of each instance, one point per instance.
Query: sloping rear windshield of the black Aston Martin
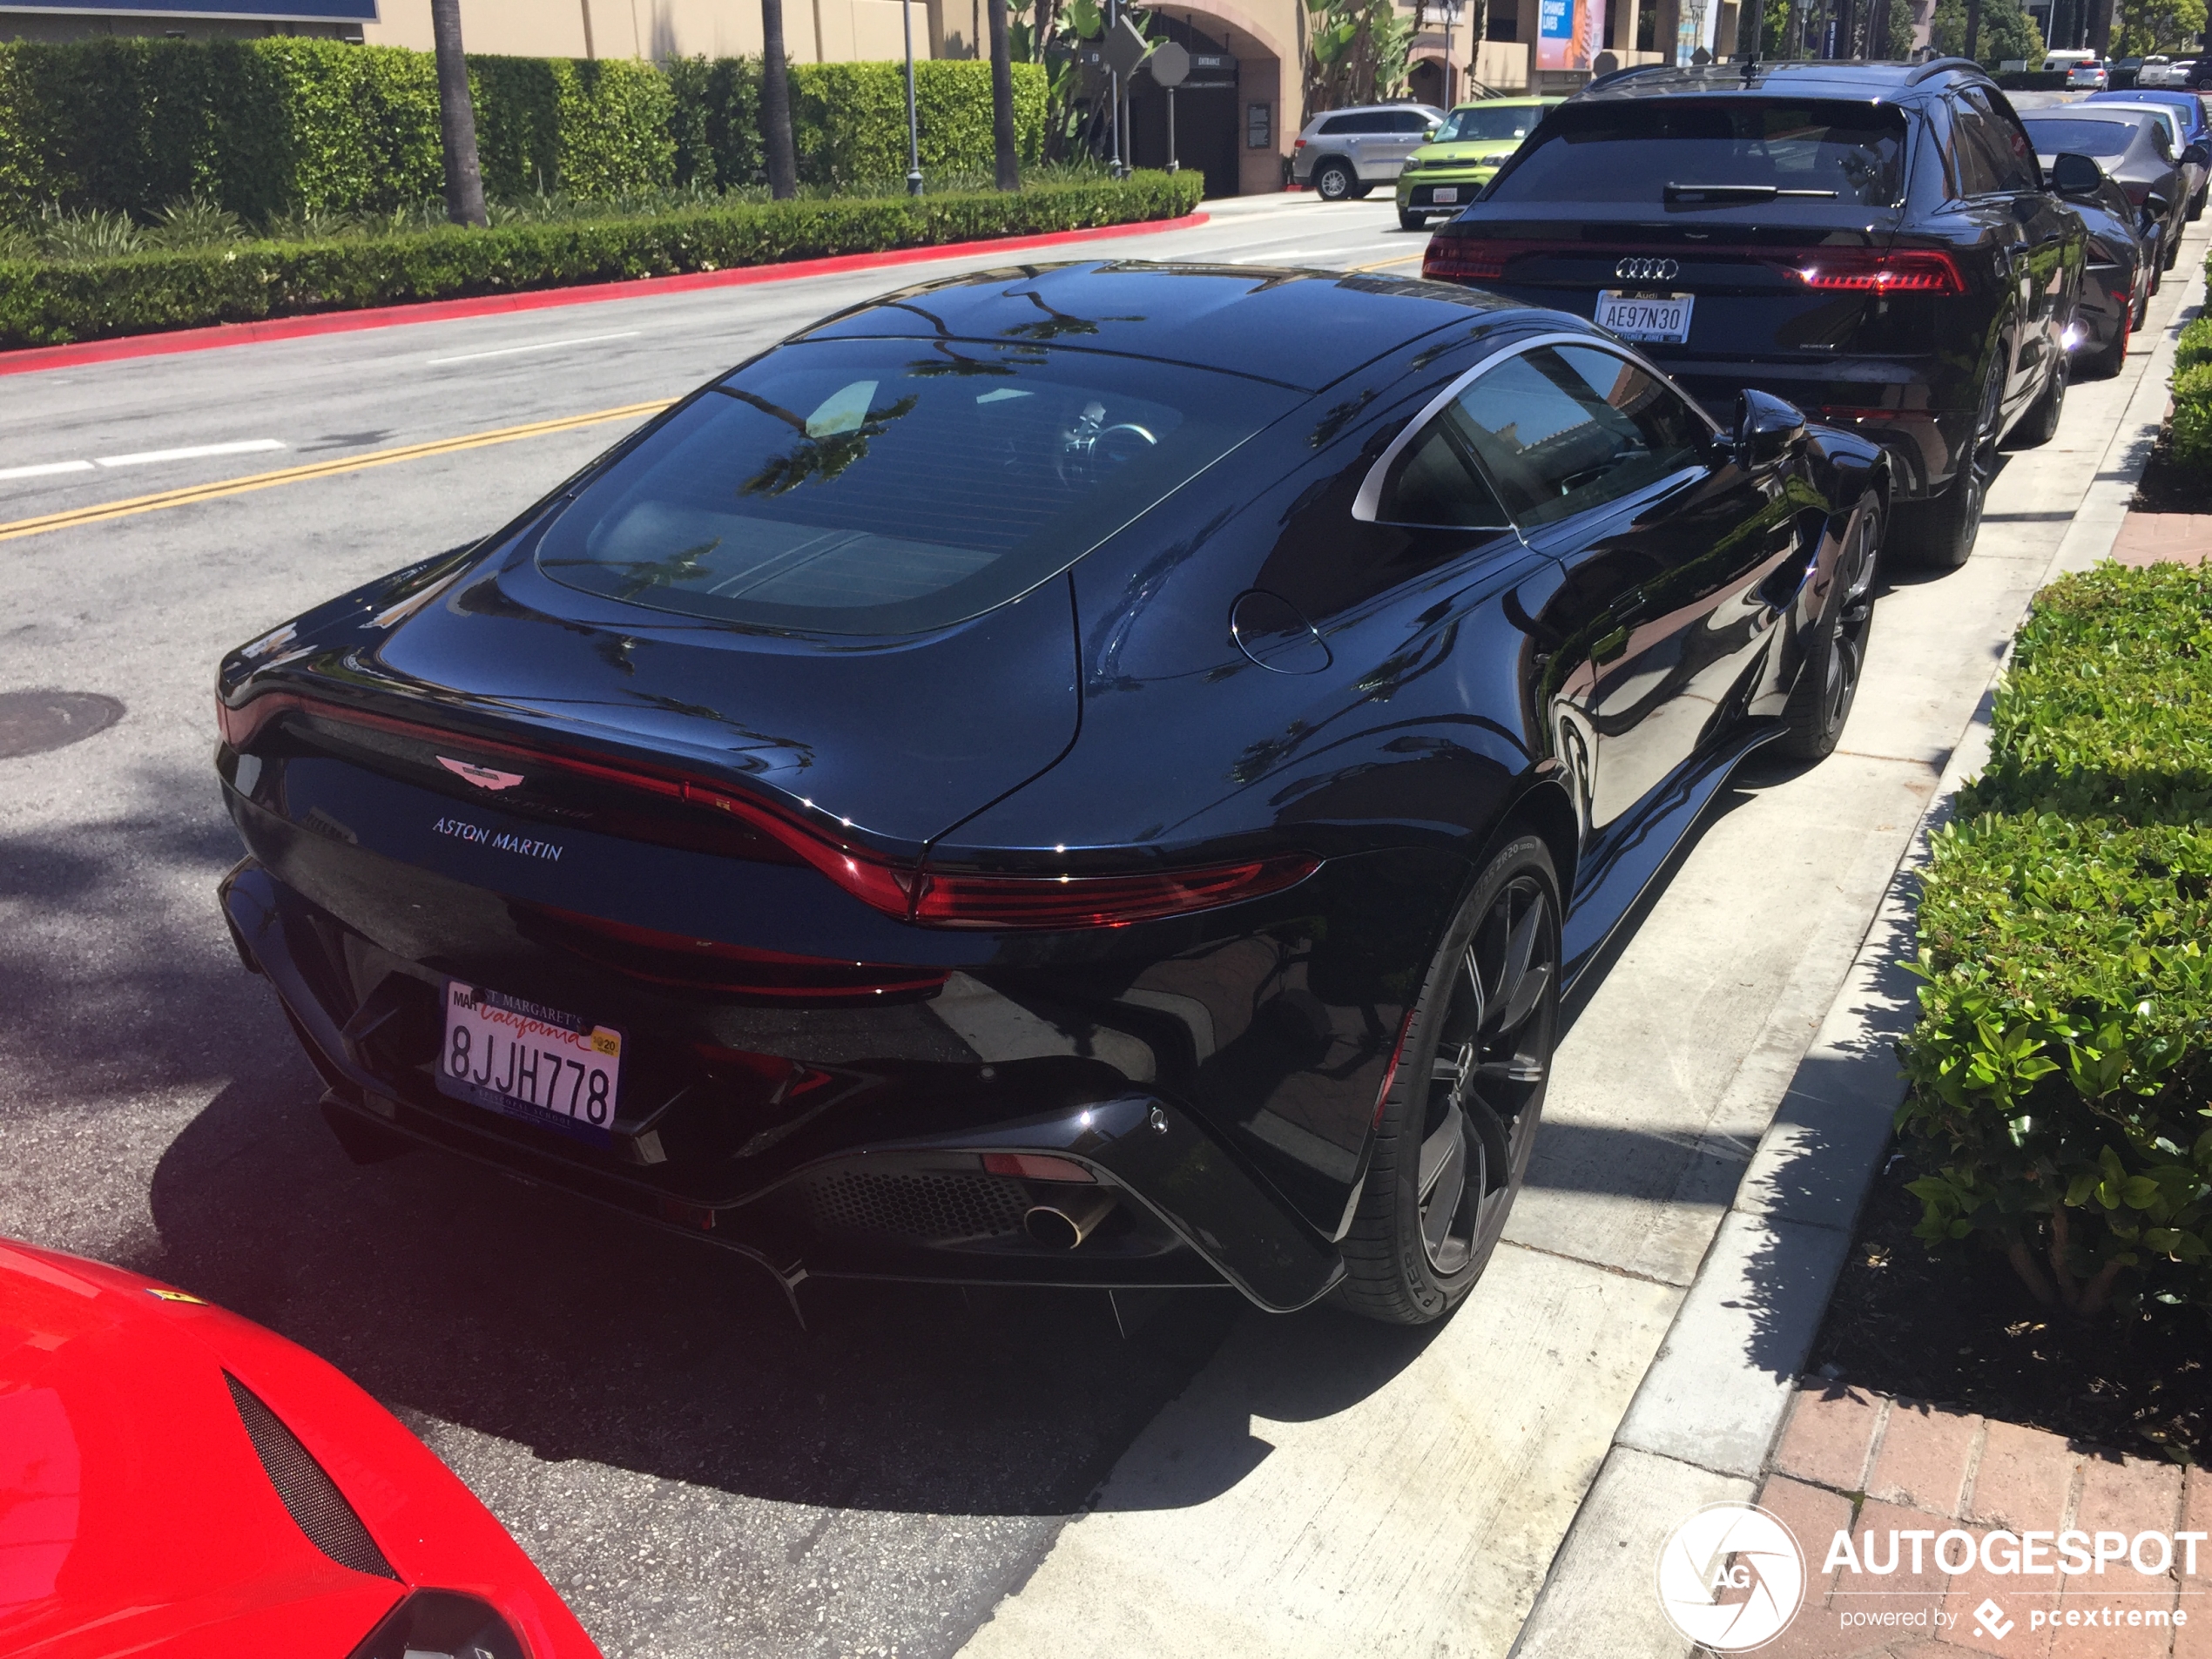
(875, 488)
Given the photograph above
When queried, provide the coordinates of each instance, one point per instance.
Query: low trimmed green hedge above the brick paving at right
(2063, 1061)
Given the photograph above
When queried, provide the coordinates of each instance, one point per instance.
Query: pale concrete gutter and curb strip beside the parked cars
(1505, 1483)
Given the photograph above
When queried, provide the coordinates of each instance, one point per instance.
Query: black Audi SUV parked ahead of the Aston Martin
(1870, 242)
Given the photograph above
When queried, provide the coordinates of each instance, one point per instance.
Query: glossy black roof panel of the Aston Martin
(1302, 328)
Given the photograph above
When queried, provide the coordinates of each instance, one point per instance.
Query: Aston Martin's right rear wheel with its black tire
(1463, 1107)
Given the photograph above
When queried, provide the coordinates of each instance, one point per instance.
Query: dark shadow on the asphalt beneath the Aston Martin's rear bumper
(581, 1333)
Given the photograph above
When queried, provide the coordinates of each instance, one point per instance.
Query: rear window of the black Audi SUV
(1658, 147)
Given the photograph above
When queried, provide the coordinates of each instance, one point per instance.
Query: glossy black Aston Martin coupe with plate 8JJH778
(1085, 775)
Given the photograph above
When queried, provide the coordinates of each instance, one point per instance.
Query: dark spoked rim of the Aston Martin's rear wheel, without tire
(1490, 1063)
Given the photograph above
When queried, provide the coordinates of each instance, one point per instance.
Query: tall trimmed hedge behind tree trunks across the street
(267, 127)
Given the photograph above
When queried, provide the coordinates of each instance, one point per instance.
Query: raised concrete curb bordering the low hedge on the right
(1713, 1401)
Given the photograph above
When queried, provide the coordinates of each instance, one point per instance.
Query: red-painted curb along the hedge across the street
(536, 300)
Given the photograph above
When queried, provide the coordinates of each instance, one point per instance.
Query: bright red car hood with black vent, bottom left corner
(136, 1510)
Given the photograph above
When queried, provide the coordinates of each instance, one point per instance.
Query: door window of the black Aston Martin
(1567, 428)
